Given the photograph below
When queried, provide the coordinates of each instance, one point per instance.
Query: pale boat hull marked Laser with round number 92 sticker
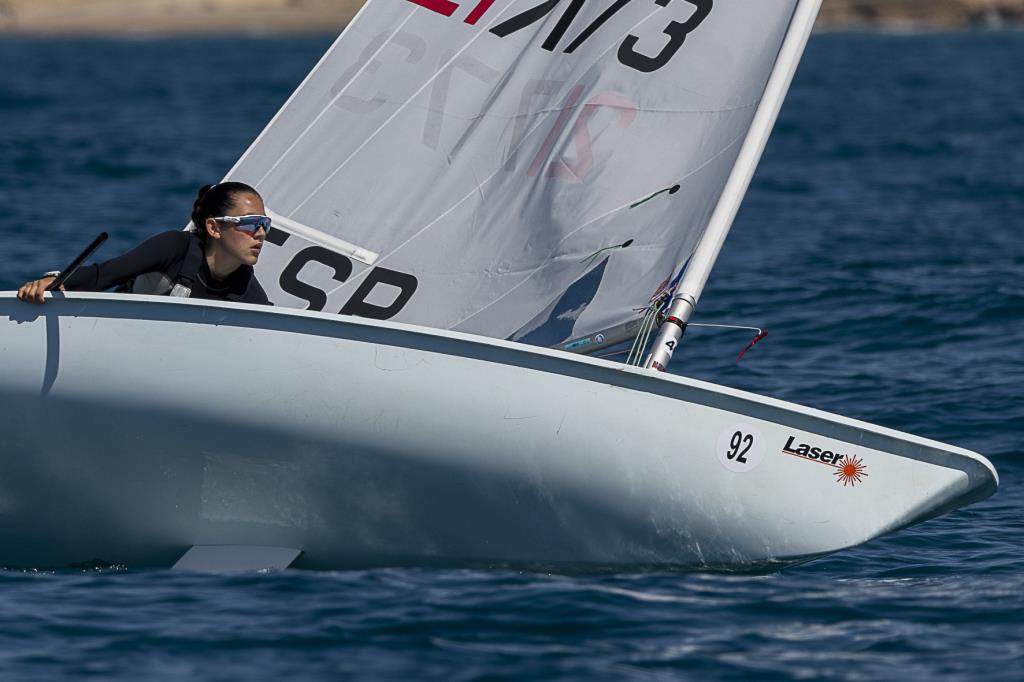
(134, 429)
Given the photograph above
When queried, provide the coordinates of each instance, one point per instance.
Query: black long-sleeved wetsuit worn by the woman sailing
(165, 253)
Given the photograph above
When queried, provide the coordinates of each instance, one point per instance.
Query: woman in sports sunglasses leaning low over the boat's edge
(215, 262)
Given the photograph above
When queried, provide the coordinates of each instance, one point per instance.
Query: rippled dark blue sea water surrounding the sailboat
(881, 245)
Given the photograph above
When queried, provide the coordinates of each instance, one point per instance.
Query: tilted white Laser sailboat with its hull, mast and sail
(470, 200)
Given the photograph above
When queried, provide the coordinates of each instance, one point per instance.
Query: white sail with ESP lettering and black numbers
(527, 169)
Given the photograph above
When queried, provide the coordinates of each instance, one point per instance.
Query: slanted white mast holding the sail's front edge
(686, 301)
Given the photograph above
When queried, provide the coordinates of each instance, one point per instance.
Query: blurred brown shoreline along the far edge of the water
(170, 17)
